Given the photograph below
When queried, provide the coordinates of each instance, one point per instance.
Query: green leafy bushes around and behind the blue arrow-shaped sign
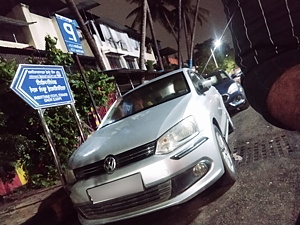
(22, 136)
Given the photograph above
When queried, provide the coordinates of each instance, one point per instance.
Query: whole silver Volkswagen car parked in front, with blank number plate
(159, 145)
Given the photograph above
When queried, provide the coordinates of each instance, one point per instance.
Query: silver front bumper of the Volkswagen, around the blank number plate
(169, 181)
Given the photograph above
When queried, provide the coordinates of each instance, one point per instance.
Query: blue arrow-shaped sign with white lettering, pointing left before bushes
(42, 86)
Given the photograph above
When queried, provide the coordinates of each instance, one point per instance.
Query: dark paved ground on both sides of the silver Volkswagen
(267, 191)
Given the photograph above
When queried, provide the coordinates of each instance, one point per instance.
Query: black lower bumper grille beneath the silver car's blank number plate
(153, 195)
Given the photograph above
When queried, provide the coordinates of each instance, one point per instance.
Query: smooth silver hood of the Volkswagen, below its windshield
(130, 132)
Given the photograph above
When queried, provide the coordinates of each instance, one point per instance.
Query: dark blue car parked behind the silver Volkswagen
(232, 92)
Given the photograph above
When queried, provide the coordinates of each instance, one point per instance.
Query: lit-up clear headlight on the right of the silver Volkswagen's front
(177, 136)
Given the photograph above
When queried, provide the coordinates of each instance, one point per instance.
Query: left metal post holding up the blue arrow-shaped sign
(52, 147)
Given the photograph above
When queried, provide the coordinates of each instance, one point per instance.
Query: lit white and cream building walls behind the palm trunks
(35, 36)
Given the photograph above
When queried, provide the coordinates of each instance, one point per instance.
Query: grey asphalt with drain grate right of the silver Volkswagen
(268, 188)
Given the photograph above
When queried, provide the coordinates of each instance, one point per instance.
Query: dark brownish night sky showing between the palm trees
(118, 10)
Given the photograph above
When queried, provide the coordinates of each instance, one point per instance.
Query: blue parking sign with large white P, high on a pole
(68, 30)
